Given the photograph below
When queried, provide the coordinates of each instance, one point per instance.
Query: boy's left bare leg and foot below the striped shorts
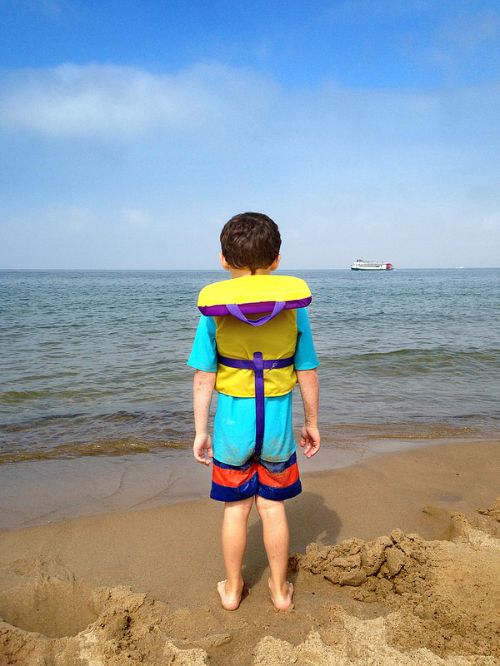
(234, 542)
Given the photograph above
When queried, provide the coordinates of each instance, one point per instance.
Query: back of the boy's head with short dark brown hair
(250, 240)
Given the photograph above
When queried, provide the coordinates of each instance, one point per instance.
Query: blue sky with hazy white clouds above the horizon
(130, 131)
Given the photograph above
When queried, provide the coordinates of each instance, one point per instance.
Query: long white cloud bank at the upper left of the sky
(107, 101)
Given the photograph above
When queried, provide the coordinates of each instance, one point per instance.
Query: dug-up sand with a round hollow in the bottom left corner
(67, 622)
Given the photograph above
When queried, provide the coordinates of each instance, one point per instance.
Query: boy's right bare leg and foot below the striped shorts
(276, 542)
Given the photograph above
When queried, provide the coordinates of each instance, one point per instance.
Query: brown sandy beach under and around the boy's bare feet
(397, 561)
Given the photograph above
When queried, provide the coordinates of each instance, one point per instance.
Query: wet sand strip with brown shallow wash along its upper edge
(40, 487)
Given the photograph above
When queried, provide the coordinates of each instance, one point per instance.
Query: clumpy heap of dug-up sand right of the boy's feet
(445, 596)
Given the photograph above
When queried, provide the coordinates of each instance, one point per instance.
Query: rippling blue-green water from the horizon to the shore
(94, 362)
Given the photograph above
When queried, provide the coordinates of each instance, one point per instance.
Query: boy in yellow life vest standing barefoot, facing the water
(253, 343)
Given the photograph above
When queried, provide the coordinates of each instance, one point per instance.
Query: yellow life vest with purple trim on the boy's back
(256, 319)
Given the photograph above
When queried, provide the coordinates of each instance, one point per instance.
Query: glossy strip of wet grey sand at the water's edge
(39, 492)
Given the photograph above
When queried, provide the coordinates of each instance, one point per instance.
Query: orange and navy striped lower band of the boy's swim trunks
(272, 480)
